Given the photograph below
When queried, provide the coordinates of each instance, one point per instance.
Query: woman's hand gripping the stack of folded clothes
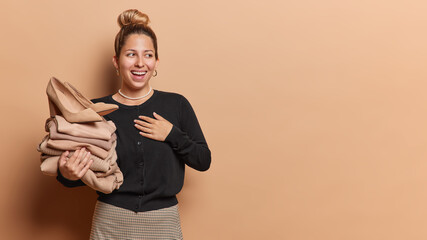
(76, 166)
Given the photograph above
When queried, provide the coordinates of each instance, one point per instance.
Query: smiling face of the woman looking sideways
(137, 62)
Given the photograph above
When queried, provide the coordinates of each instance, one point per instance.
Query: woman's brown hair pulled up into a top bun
(133, 21)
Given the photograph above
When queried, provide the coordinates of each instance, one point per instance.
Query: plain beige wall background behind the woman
(315, 113)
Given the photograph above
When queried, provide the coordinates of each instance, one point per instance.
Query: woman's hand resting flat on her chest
(157, 129)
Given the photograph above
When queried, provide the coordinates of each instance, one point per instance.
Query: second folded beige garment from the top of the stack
(55, 135)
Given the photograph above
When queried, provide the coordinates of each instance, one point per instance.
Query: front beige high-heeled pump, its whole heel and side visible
(62, 102)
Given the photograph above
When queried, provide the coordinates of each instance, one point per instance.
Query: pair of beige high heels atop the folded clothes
(66, 100)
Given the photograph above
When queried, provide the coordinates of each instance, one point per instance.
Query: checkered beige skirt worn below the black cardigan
(115, 223)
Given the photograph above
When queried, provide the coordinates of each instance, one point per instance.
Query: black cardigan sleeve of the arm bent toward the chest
(188, 141)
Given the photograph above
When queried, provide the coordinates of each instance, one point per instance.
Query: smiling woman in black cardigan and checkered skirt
(157, 135)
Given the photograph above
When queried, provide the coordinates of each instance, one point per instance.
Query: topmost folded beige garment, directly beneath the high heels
(98, 130)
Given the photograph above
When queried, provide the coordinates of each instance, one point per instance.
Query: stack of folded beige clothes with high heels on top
(76, 122)
